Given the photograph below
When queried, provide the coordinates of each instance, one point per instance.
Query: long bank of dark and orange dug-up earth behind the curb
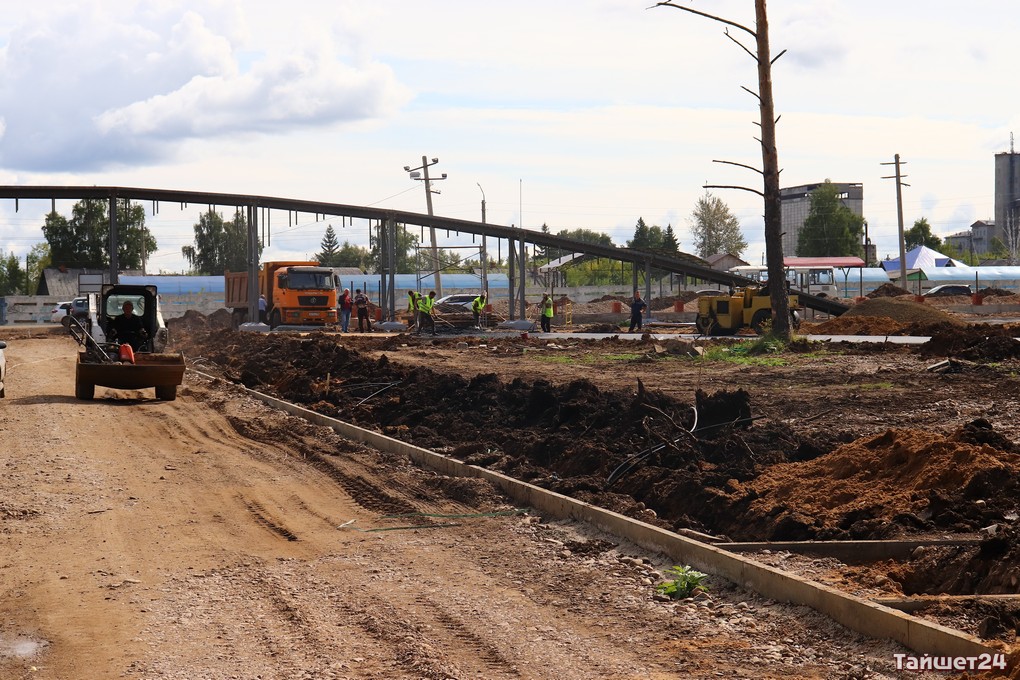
(708, 466)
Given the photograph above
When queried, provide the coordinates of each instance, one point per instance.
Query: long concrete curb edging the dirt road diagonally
(855, 613)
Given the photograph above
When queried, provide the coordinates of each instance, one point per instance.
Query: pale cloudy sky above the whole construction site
(574, 115)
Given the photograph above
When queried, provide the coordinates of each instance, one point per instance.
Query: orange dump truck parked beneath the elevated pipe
(302, 294)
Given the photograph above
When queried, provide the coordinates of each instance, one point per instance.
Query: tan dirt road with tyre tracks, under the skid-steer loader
(212, 538)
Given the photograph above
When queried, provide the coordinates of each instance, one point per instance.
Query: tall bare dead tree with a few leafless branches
(771, 160)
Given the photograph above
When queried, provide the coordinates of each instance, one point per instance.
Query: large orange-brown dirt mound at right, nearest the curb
(900, 482)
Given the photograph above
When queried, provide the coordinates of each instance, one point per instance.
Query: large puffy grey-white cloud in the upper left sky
(91, 88)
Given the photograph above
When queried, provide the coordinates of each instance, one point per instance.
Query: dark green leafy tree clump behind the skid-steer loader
(83, 241)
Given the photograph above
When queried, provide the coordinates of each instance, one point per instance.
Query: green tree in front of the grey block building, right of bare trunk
(832, 229)
